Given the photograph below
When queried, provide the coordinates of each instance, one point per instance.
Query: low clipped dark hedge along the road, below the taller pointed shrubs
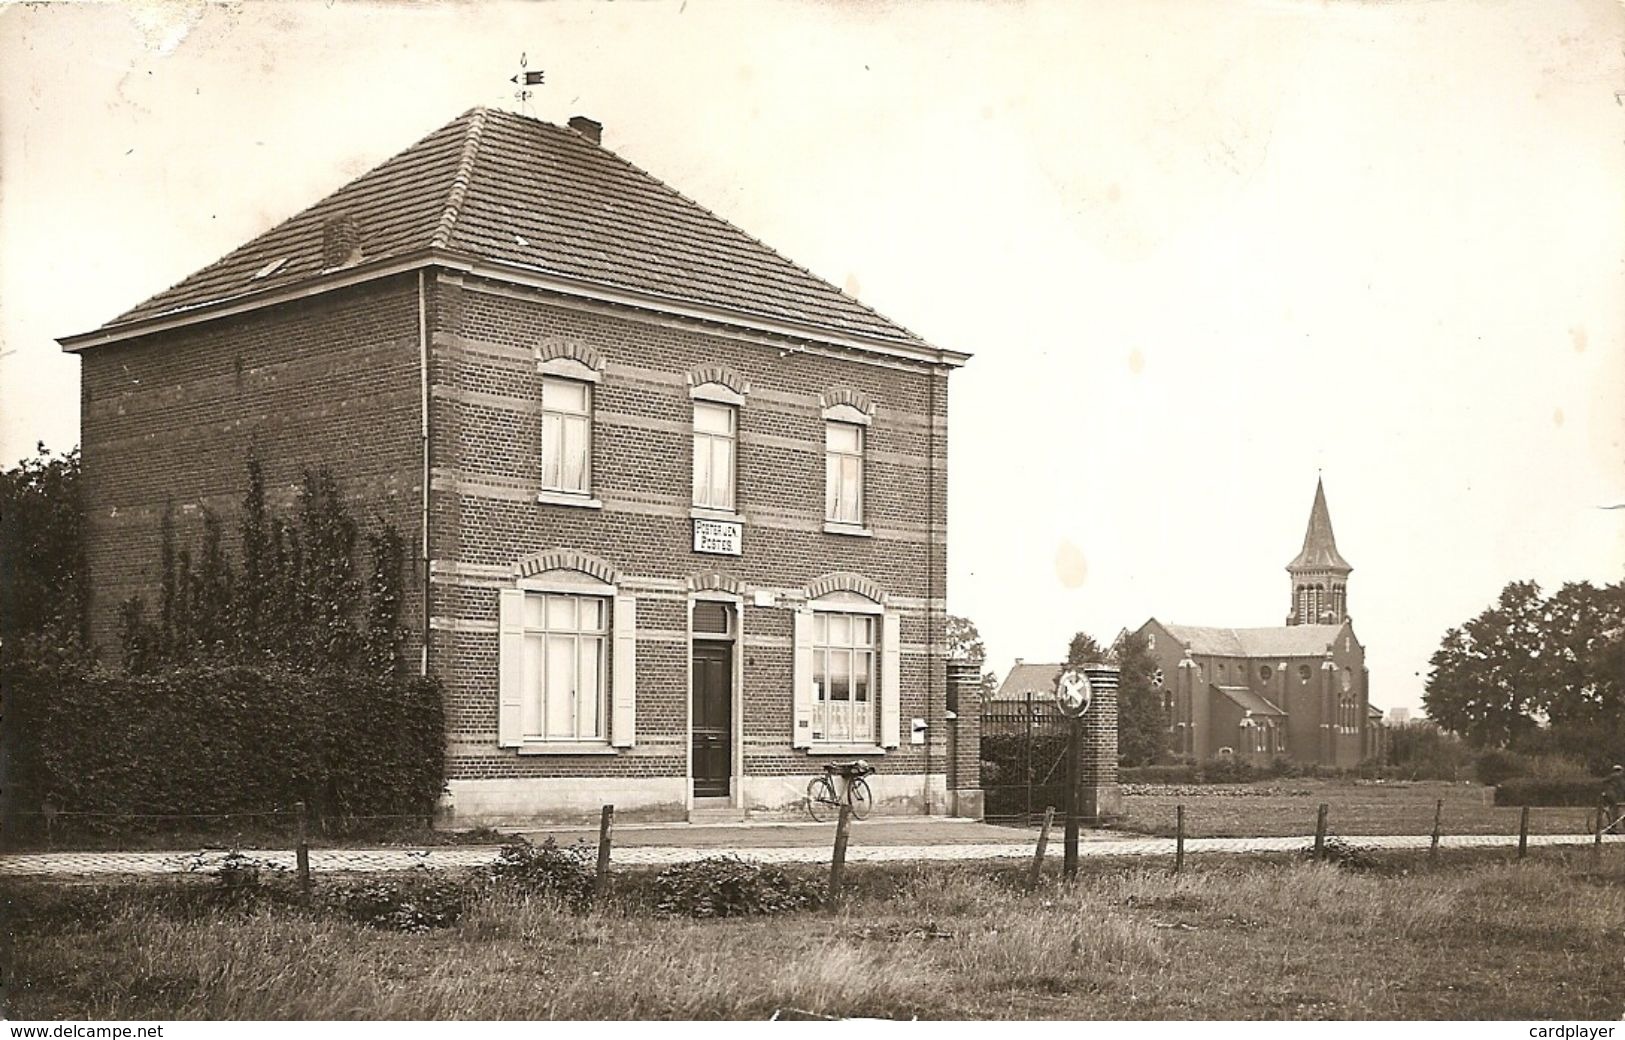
(225, 739)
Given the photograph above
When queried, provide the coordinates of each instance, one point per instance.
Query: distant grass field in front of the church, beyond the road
(1288, 807)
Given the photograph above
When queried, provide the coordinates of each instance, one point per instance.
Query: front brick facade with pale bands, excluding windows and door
(487, 391)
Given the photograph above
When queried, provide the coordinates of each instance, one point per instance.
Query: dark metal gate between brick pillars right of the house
(1023, 758)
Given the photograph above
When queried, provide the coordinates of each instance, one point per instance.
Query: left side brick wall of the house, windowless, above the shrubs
(170, 418)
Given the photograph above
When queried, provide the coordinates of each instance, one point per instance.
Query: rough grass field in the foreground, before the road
(1470, 938)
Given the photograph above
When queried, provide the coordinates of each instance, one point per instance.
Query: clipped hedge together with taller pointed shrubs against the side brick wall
(253, 690)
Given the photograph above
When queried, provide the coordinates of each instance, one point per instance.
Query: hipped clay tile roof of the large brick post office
(511, 189)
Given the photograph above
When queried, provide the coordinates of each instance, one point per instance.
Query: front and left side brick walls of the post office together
(336, 381)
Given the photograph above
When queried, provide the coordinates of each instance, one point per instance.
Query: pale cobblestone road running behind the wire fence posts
(82, 865)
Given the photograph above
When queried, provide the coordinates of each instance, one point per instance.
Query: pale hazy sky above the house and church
(1202, 253)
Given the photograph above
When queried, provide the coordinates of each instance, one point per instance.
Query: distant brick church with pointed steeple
(1298, 691)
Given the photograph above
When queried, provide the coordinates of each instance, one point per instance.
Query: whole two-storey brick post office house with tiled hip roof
(678, 506)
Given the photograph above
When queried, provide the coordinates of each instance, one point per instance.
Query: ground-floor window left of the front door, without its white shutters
(565, 667)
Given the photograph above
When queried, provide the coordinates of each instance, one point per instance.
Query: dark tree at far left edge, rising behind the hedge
(43, 550)
